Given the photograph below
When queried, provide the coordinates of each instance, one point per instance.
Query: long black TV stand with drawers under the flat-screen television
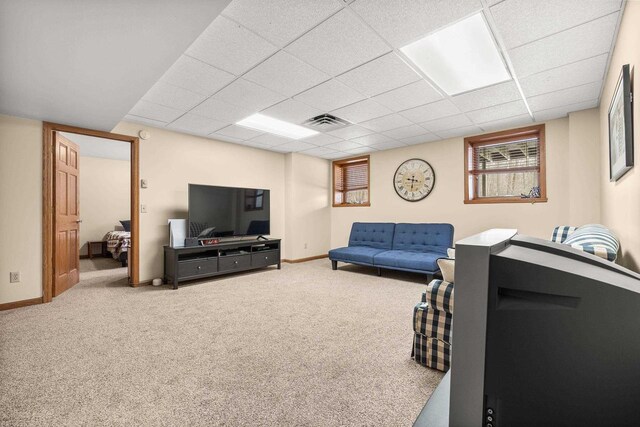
(197, 262)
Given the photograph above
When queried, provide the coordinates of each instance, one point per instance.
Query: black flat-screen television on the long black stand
(219, 212)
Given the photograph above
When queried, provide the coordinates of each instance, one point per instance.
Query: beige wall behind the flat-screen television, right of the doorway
(170, 161)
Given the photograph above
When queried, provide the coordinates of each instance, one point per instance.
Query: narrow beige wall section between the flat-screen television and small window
(308, 219)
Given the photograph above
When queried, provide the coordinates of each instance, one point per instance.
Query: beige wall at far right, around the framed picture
(620, 201)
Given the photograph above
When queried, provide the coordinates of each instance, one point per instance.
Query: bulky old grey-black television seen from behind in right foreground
(543, 334)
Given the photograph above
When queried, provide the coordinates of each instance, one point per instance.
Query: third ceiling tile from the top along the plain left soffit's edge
(194, 75)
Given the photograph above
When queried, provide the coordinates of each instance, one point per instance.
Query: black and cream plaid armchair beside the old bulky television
(432, 319)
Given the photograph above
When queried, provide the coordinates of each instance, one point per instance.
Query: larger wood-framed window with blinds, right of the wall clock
(506, 167)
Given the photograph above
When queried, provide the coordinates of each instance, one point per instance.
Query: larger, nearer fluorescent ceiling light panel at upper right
(460, 57)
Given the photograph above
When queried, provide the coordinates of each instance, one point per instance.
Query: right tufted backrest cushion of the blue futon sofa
(423, 237)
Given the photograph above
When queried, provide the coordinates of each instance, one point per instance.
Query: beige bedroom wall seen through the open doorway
(105, 196)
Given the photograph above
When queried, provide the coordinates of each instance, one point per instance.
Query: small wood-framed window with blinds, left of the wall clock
(351, 182)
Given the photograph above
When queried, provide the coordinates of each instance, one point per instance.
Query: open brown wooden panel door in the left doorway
(66, 249)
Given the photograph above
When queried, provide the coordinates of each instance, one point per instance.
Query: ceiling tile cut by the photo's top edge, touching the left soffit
(281, 21)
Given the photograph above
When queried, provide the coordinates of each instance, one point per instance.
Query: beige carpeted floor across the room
(304, 346)
